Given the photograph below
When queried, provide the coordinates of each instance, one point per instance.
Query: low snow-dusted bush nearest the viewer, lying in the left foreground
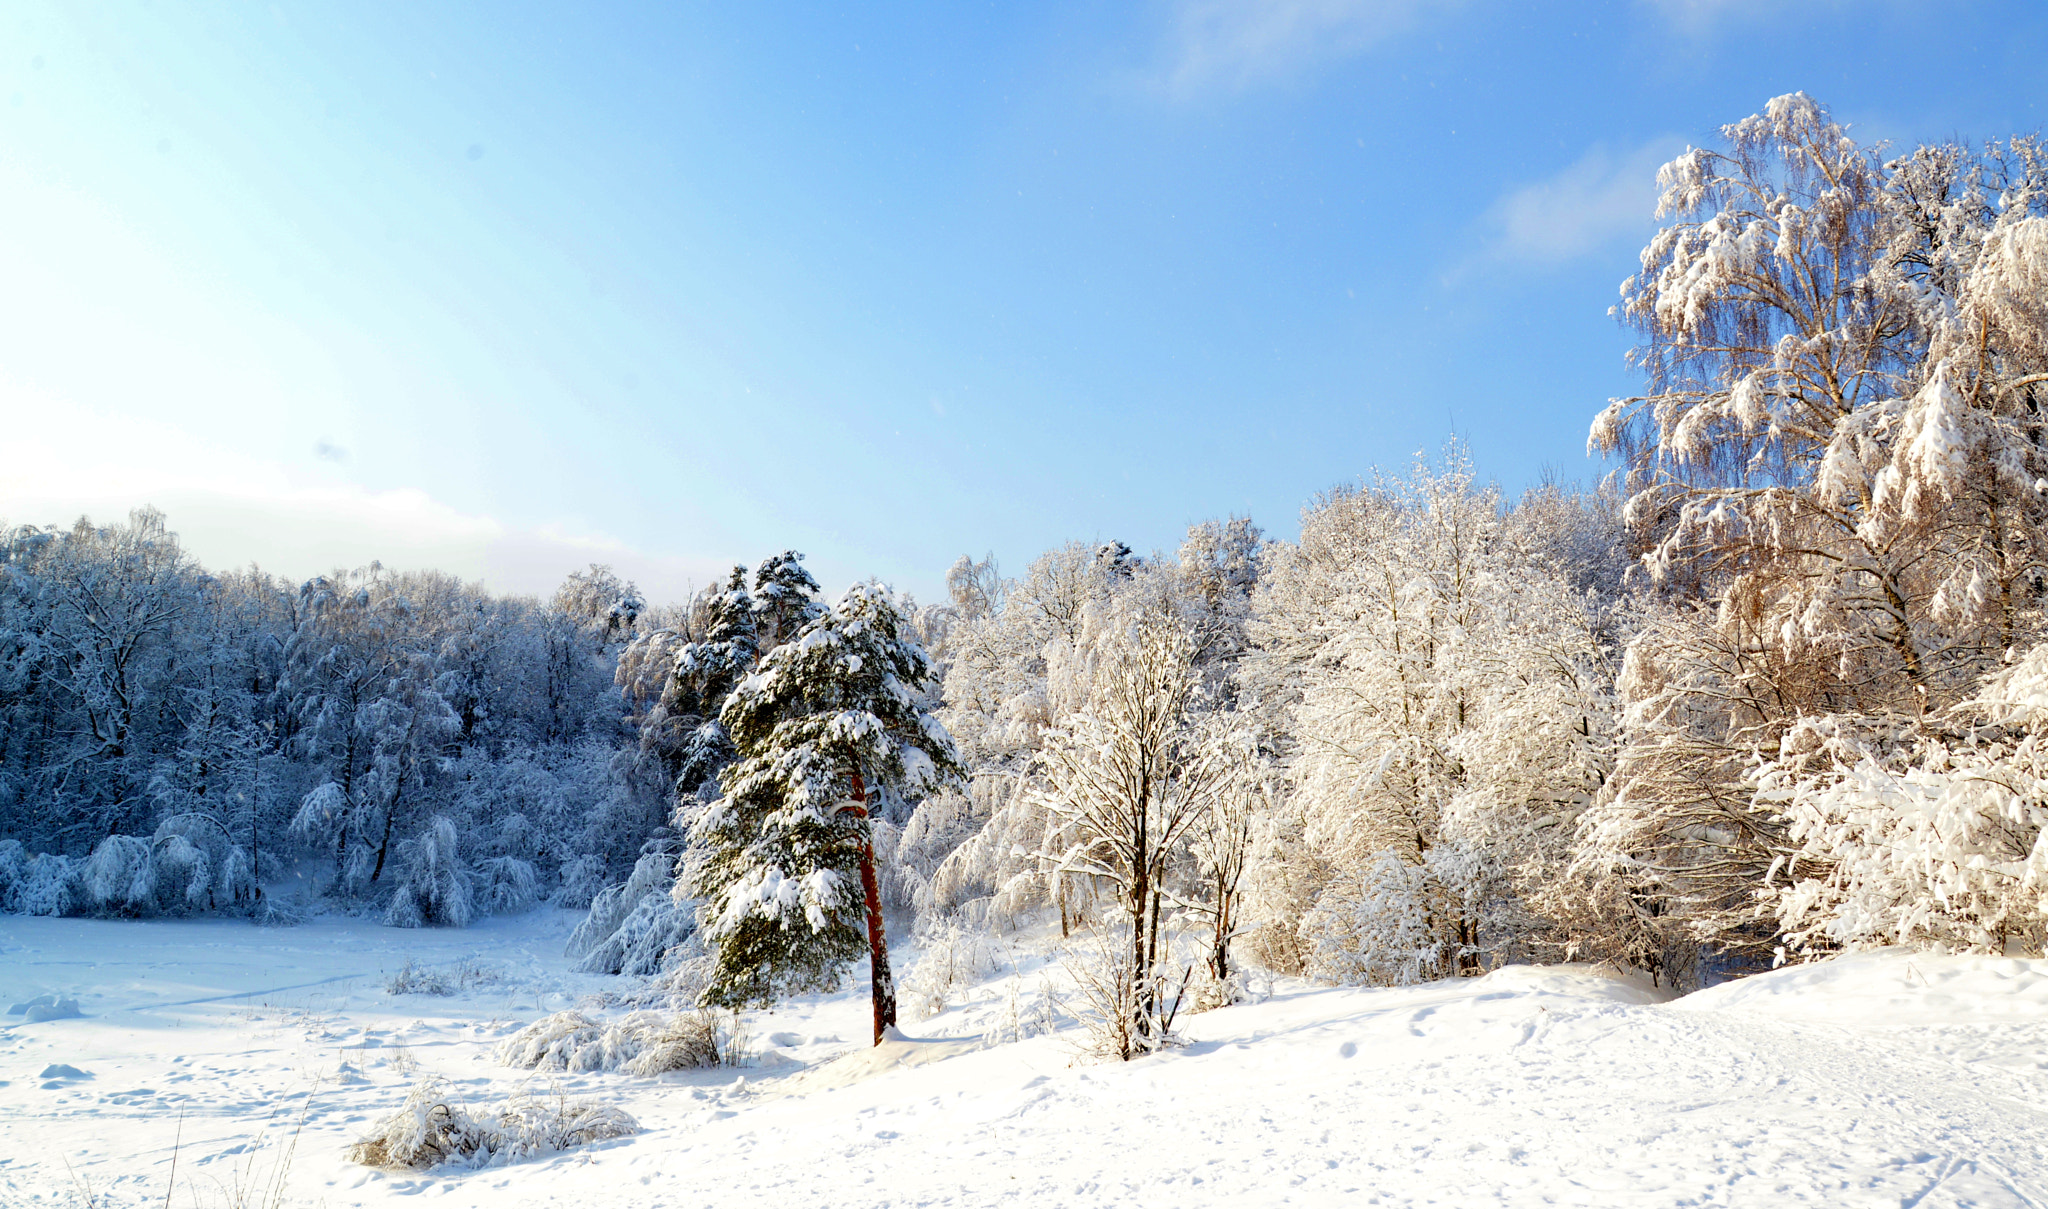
(429, 1130)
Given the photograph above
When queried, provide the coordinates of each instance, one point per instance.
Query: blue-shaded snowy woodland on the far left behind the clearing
(267, 722)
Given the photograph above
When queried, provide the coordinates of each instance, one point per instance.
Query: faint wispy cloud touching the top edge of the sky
(1242, 44)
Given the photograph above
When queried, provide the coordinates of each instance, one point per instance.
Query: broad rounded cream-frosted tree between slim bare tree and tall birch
(1451, 692)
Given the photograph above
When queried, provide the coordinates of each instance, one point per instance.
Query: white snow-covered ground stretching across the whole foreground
(1877, 1081)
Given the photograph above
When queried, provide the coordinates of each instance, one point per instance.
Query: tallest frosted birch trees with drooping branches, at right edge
(1836, 483)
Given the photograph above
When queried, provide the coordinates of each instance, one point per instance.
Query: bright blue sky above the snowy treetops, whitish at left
(515, 288)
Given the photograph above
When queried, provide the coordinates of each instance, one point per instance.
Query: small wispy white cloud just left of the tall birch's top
(1594, 202)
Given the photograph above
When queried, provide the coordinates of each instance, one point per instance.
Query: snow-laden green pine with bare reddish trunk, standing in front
(824, 726)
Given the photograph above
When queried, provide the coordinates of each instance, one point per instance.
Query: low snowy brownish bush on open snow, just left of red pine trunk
(644, 1044)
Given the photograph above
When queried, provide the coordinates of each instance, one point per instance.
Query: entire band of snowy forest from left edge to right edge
(1775, 690)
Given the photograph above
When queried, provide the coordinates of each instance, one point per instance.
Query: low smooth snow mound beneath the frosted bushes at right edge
(1889, 987)
